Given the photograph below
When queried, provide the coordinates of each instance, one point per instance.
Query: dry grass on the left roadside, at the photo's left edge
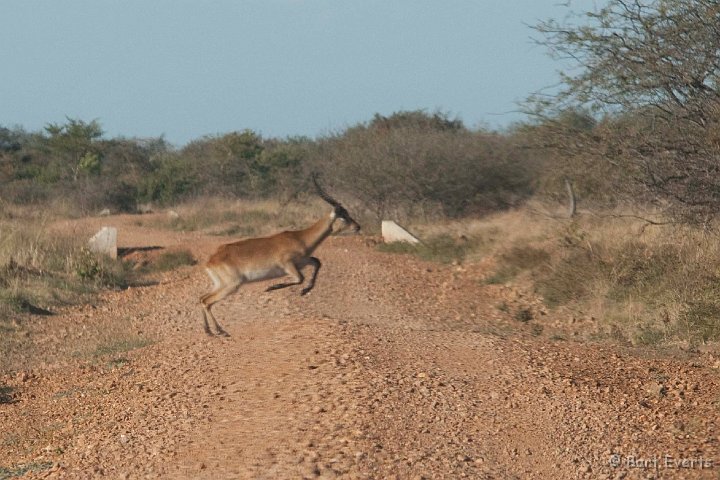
(39, 273)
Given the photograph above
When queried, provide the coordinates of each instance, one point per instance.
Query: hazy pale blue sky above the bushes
(185, 69)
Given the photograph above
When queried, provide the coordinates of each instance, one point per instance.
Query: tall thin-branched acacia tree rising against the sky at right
(649, 71)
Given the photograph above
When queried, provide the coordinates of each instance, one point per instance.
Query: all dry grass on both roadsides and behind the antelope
(652, 285)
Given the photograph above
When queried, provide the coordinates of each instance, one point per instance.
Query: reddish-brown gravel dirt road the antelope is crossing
(390, 368)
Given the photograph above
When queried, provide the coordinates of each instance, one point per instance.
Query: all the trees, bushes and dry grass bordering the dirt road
(634, 131)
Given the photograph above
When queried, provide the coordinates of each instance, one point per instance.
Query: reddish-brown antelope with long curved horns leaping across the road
(258, 259)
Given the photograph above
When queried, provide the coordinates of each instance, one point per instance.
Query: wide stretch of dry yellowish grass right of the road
(643, 284)
